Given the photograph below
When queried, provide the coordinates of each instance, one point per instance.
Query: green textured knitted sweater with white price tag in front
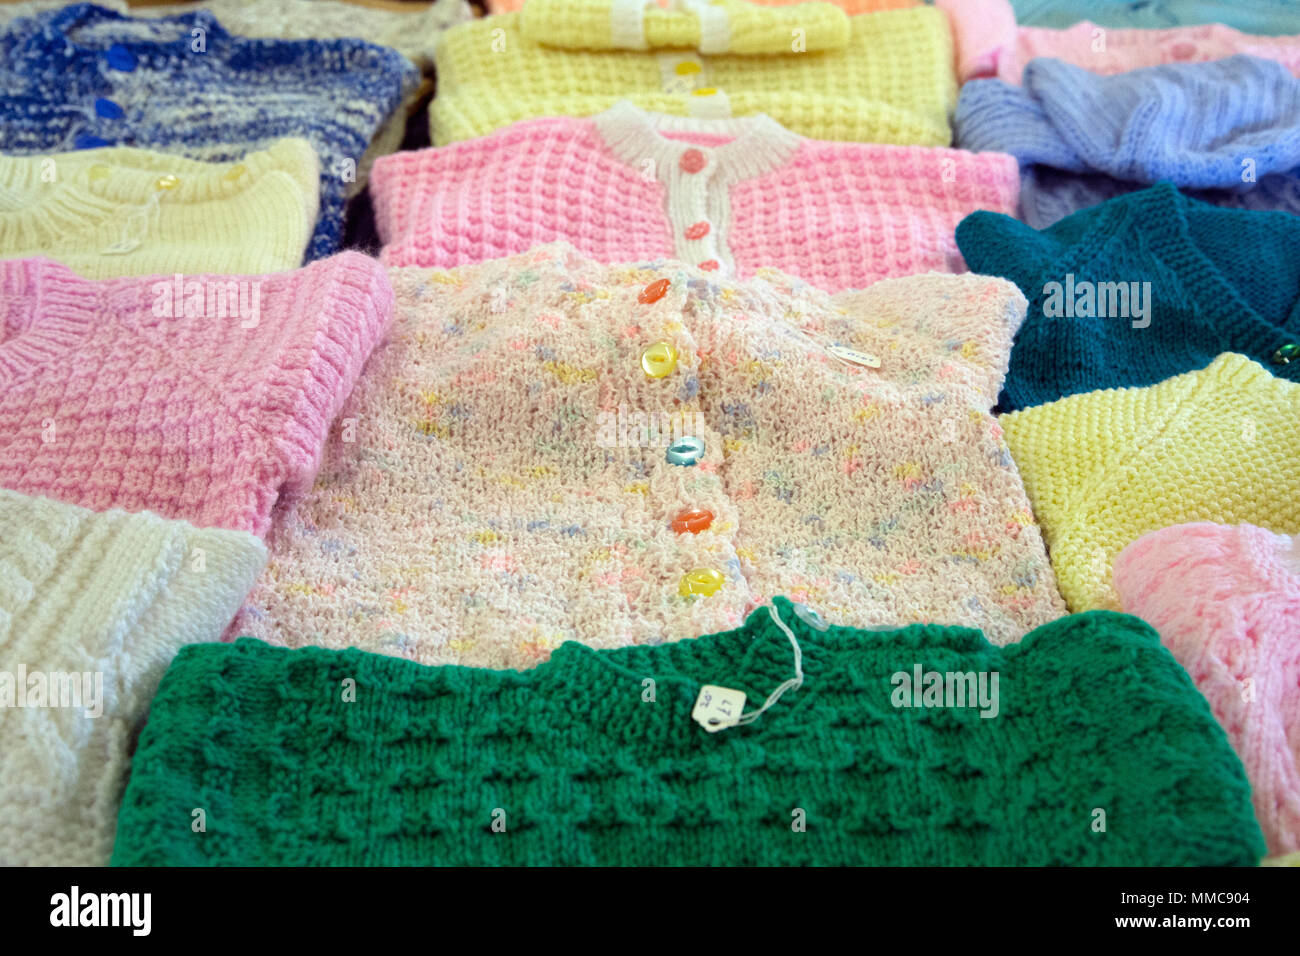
(1102, 752)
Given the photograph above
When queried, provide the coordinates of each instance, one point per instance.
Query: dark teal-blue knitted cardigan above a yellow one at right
(1220, 280)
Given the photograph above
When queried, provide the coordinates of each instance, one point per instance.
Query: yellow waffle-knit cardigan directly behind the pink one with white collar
(892, 83)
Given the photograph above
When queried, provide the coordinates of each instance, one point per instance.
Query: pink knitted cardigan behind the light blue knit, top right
(990, 44)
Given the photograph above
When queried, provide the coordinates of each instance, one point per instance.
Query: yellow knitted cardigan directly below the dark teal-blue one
(1106, 468)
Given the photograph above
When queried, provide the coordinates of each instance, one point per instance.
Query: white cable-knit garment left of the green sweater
(105, 599)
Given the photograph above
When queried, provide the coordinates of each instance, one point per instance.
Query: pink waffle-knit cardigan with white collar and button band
(730, 196)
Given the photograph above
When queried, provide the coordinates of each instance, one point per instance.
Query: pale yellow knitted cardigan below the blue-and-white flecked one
(132, 213)
